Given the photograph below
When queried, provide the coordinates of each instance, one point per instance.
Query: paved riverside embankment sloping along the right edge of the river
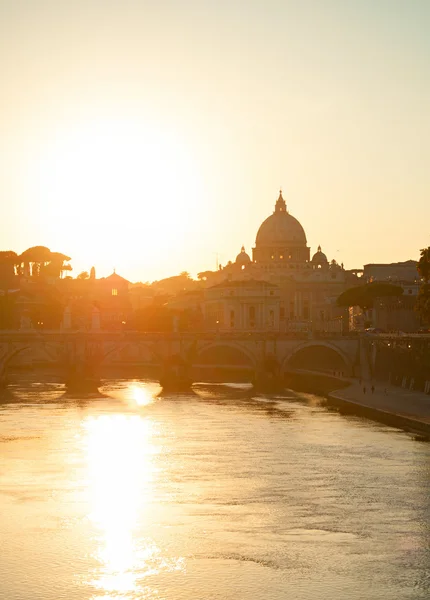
(393, 406)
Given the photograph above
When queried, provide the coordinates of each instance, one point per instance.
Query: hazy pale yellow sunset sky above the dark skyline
(153, 136)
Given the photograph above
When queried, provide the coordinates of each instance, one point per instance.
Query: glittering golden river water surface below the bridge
(212, 495)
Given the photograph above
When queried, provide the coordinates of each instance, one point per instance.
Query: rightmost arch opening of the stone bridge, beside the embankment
(318, 356)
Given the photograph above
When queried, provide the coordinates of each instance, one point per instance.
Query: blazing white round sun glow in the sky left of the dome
(109, 191)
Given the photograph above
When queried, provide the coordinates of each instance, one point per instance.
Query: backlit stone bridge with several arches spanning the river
(208, 356)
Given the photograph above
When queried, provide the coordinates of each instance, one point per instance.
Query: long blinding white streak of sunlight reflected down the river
(121, 469)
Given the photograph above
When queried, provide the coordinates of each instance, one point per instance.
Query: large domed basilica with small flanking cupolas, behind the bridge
(308, 286)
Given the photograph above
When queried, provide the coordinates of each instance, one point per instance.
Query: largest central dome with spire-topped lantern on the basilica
(281, 228)
